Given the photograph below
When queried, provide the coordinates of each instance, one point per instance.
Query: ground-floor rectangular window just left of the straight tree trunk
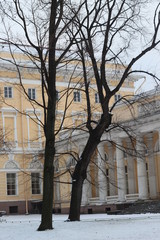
(36, 183)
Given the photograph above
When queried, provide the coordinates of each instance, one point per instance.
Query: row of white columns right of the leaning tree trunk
(129, 173)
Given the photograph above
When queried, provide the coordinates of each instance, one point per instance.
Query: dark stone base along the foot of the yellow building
(35, 207)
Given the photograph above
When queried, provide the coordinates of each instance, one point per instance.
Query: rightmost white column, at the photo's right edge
(151, 168)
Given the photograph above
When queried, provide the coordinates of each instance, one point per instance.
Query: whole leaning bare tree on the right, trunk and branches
(108, 33)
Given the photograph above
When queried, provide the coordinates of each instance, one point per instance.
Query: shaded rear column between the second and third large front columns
(131, 170)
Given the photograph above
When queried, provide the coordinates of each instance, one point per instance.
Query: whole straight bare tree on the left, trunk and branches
(38, 29)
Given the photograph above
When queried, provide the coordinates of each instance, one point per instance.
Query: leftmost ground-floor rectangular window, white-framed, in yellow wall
(11, 184)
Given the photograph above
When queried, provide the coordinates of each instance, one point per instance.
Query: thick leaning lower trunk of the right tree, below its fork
(80, 172)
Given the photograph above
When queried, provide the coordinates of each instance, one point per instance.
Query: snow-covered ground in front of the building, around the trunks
(91, 227)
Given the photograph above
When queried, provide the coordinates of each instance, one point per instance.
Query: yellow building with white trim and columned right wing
(122, 169)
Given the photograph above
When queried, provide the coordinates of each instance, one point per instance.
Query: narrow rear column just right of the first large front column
(111, 163)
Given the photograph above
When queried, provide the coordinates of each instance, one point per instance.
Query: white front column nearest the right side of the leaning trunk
(102, 180)
